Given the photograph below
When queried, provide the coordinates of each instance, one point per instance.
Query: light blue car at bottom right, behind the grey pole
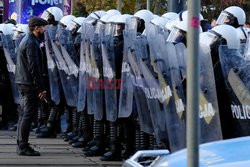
(224, 153)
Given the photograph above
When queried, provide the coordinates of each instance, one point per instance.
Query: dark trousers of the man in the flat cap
(29, 108)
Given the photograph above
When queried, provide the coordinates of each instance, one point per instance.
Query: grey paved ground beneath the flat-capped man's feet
(54, 152)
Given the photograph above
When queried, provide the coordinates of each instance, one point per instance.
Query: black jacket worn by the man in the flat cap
(29, 64)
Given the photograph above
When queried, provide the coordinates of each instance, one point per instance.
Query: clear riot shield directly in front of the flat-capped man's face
(52, 71)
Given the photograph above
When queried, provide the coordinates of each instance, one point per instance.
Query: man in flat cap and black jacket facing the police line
(30, 82)
